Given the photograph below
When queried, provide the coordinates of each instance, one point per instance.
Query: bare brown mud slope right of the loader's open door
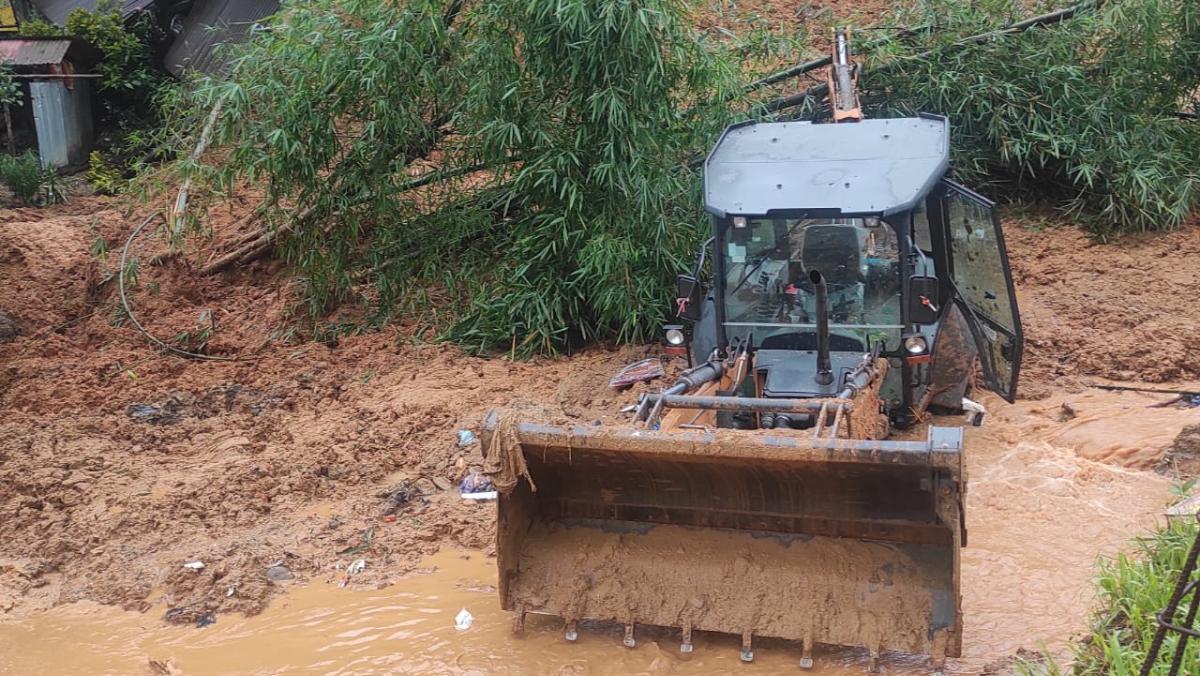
(1123, 312)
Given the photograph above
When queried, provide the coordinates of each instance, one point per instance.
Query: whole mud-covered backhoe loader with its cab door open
(848, 289)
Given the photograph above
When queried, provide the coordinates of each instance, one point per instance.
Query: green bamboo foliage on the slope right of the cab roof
(1083, 112)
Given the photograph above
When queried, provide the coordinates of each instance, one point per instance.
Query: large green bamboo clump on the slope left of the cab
(583, 116)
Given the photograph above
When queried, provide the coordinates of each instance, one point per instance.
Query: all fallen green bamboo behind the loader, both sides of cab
(536, 160)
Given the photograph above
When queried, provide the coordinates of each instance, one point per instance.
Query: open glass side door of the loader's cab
(983, 283)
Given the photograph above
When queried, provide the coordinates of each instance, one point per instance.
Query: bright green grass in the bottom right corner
(1132, 589)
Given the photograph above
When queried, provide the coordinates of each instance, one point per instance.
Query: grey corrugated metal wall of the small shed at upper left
(63, 117)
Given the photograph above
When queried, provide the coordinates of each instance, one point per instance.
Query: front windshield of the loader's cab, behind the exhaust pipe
(767, 286)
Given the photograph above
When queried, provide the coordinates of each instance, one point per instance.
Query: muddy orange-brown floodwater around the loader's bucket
(1040, 511)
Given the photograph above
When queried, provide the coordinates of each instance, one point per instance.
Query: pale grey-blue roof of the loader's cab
(868, 167)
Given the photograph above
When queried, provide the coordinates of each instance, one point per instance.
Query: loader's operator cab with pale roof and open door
(861, 222)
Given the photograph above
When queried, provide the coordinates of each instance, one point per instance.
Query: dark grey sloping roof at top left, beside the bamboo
(213, 23)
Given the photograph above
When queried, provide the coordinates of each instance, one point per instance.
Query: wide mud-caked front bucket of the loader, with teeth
(745, 533)
